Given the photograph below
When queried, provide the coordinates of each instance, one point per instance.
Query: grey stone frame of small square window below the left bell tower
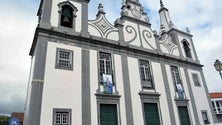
(70, 60)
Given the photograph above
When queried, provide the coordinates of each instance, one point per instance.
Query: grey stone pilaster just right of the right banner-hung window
(193, 103)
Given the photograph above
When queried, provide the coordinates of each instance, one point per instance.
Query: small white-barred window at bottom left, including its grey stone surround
(61, 116)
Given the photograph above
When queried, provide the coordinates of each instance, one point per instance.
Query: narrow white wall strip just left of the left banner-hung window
(93, 86)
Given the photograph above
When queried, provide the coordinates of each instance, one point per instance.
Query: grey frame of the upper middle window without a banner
(148, 67)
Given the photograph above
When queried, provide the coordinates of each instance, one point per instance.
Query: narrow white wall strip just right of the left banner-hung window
(120, 87)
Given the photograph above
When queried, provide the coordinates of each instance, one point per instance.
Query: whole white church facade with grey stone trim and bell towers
(91, 72)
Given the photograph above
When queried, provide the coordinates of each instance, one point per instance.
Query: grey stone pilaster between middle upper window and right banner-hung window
(168, 94)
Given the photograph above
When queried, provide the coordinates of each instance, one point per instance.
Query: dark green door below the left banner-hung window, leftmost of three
(108, 114)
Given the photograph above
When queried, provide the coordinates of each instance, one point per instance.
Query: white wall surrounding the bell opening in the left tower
(55, 14)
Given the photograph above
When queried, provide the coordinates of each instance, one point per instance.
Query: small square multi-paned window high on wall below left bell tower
(64, 59)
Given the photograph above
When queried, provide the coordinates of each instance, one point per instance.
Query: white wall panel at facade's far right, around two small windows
(200, 97)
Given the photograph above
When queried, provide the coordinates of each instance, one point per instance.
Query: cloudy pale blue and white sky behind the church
(18, 21)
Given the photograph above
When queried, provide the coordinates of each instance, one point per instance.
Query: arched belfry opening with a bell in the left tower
(67, 13)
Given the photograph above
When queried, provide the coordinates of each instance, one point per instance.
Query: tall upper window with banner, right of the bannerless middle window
(177, 82)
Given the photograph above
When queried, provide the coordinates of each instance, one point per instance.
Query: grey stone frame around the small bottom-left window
(62, 111)
